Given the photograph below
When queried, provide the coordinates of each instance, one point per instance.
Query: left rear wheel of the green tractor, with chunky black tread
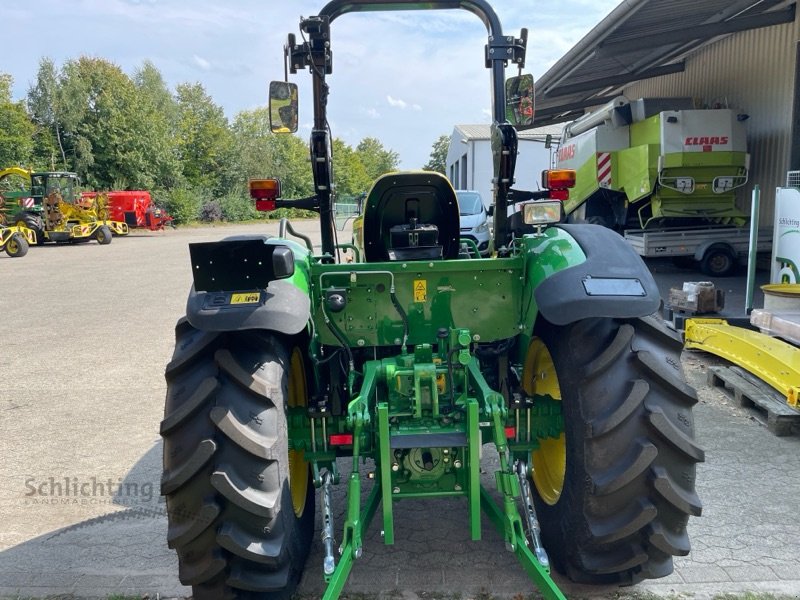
(241, 526)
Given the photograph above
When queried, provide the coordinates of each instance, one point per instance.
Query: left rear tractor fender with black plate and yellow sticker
(249, 282)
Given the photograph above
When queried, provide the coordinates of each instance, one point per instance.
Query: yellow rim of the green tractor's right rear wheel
(549, 462)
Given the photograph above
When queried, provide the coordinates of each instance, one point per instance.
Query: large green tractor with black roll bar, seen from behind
(295, 371)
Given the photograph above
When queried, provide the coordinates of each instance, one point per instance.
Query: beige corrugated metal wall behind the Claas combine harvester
(753, 71)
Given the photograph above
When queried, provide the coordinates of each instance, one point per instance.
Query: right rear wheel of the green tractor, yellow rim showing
(614, 493)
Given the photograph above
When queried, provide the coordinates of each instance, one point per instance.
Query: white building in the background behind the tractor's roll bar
(469, 158)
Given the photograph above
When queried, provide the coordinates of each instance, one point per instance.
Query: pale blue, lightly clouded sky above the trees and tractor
(403, 77)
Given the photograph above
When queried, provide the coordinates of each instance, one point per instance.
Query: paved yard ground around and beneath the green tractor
(88, 332)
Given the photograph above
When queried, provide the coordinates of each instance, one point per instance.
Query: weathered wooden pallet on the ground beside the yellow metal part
(750, 392)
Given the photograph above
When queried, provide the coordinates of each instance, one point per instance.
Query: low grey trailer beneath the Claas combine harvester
(717, 250)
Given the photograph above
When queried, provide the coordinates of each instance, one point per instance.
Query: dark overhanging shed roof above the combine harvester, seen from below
(641, 39)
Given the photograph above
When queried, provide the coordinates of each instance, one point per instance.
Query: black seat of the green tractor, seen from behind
(411, 216)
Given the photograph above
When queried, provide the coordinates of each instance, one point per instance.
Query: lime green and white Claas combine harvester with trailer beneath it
(665, 175)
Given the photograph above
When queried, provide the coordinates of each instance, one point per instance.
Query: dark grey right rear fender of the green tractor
(613, 281)
